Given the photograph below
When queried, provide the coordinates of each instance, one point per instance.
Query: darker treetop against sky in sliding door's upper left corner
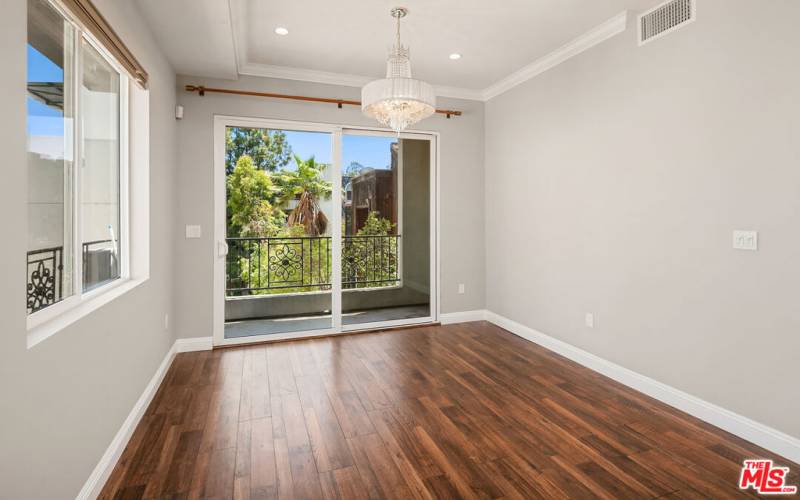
(269, 149)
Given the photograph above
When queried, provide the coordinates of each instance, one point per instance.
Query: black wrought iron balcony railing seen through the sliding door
(257, 266)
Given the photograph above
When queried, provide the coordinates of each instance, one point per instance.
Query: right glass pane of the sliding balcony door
(386, 229)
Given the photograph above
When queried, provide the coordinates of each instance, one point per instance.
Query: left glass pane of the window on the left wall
(50, 110)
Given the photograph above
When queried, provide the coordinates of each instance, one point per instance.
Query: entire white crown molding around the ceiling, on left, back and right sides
(596, 35)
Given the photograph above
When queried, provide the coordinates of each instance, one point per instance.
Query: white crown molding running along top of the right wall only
(596, 35)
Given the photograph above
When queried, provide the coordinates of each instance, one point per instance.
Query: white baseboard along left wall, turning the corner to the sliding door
(94, 485)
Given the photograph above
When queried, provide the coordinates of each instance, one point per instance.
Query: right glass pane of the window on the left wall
(99, 175)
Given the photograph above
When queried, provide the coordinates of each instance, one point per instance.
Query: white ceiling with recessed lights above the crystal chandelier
(346, 41)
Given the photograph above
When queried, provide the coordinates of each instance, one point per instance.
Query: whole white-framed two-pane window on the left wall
(77, 127)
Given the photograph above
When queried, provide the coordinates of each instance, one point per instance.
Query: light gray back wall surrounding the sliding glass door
(461, 178)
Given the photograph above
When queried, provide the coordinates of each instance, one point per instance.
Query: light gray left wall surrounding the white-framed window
(62, 402)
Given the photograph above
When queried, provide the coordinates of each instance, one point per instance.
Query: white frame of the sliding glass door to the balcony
(219, 247)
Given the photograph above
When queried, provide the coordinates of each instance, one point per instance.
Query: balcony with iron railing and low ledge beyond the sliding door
(278, 280)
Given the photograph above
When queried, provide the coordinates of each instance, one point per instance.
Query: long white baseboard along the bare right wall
(755, 432)
